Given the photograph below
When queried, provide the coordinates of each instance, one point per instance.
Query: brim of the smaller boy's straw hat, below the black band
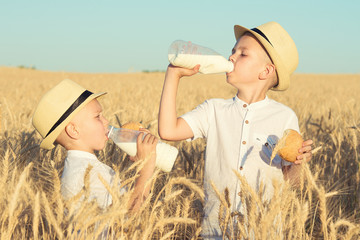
(48, 142)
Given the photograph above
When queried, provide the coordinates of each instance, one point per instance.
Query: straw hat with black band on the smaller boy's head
(57, 107)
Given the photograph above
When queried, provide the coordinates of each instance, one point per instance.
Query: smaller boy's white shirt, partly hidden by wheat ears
(72, 179)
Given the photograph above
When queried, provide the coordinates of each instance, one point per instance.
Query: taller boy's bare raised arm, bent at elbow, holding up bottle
(170, 126)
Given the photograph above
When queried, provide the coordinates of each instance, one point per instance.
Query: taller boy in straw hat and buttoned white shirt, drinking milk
(238, 131)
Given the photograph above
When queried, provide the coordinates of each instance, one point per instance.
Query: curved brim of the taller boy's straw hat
(283, 79)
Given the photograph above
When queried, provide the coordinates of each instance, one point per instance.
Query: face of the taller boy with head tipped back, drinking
(249, 58)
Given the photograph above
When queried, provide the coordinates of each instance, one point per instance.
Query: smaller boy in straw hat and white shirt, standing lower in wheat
(71, 116)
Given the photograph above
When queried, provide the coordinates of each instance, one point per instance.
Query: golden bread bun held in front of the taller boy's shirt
(292, 142)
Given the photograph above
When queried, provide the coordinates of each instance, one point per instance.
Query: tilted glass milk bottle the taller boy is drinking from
(188, 55)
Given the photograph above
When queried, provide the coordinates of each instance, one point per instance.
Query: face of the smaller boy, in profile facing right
(92, 127)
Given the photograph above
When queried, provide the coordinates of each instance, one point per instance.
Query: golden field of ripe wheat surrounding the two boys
(325, 205)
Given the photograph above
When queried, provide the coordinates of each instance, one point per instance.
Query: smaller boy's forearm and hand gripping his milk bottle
(146, 151)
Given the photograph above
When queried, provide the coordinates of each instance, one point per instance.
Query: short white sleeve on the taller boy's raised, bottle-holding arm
(198, 119)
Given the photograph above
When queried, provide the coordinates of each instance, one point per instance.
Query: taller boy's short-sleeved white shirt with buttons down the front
(238, 137)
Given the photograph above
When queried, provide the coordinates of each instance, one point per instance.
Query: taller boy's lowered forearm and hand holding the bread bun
(293, 171)
